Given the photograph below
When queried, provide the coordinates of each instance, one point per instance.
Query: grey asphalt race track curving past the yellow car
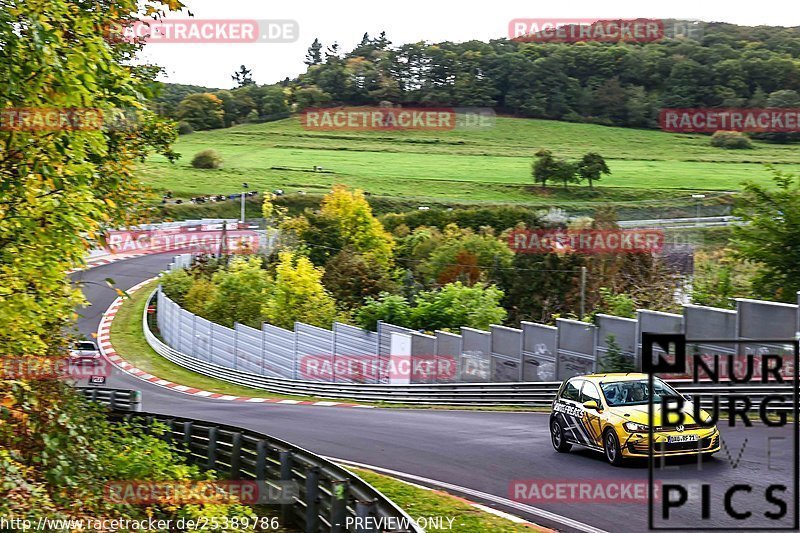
(484, 451)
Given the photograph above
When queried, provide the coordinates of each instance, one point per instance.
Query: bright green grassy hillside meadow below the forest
(488, 165)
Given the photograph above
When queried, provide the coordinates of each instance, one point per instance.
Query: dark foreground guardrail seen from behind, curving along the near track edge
(329, 498)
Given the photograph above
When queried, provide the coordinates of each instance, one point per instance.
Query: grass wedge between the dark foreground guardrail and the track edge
(420, 502)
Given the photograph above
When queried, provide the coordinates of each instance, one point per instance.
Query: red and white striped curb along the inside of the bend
(107, 349)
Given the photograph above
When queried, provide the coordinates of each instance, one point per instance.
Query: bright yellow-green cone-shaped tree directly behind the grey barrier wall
(297, 295)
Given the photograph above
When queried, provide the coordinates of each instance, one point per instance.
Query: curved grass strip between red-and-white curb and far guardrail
(128, 339)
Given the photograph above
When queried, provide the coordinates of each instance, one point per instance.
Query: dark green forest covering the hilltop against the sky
(620, 84)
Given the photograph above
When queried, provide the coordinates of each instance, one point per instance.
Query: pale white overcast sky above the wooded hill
(407, 21)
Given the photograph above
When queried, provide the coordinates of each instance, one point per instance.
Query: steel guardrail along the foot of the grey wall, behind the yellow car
(534, 394)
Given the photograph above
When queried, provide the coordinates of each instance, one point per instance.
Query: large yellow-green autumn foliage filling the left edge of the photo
(59, 189)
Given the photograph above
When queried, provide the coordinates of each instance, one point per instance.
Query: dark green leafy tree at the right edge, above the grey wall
(768, 235)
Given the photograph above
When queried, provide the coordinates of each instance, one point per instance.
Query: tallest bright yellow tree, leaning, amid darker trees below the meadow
(357, 225)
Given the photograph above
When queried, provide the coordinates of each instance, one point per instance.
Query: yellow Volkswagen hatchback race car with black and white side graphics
(609, 413)
